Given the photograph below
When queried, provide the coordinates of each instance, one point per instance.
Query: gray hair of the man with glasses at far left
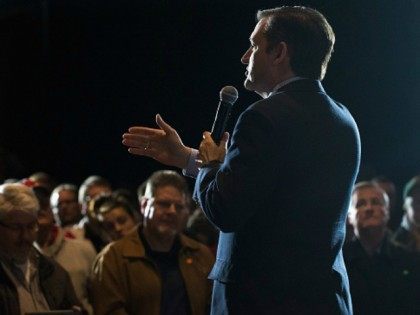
(17, 197)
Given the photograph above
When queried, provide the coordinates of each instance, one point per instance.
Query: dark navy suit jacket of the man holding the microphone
(280, 199)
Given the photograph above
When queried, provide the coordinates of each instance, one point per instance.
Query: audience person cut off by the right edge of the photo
(408, 234)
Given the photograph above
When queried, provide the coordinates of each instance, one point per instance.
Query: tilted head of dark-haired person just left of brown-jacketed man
(117, 218)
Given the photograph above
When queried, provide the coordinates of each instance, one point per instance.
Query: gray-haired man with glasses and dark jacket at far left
(29, 281)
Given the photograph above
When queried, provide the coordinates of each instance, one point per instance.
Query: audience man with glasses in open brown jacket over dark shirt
(155, 270)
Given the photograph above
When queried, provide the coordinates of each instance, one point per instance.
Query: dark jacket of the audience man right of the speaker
(386, 283)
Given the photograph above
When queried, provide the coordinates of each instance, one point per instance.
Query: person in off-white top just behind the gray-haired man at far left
(75, 256)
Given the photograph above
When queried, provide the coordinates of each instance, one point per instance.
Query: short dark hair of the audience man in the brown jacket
(166, 178)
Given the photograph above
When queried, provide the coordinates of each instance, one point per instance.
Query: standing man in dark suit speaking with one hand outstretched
(280, 193)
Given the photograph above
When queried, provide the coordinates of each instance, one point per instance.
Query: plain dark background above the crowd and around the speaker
(74, 75)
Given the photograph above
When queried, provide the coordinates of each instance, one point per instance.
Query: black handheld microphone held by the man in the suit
(228, 96)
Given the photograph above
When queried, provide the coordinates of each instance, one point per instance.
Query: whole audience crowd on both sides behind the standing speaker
(96, 249)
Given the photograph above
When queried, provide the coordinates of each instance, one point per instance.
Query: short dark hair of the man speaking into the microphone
(308, 35)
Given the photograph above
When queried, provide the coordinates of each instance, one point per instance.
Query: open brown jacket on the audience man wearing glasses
(126, 281)
